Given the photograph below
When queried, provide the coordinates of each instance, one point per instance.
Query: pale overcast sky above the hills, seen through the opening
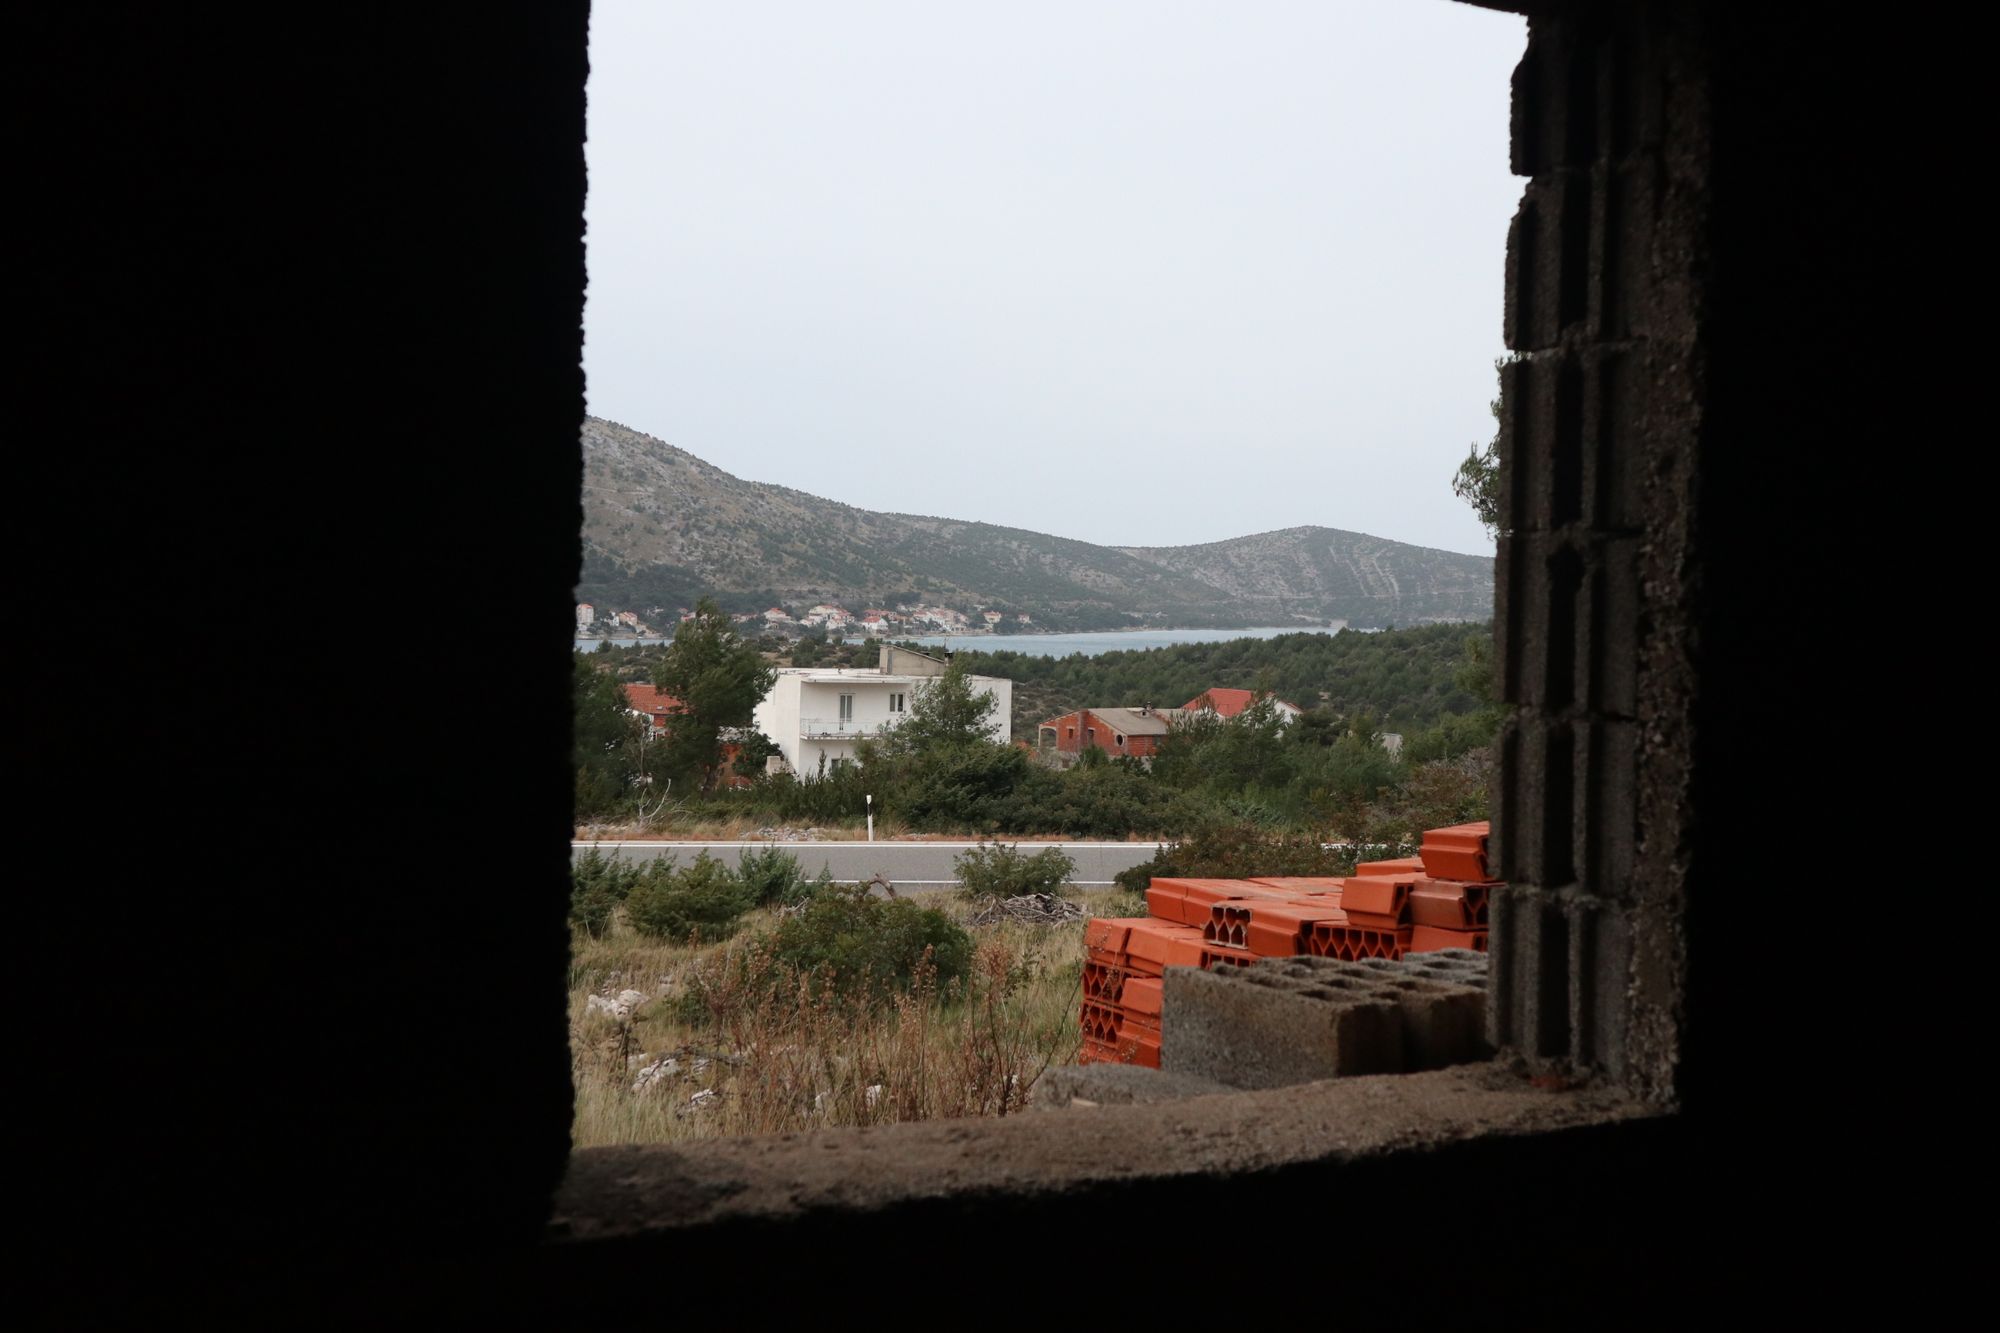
(1137, 273)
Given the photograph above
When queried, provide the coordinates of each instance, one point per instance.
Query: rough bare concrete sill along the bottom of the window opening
(625, 1194)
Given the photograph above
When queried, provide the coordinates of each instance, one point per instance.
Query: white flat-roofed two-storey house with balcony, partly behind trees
(815, 714)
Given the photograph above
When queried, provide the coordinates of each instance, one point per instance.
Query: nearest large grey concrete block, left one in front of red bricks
(1261, 1028)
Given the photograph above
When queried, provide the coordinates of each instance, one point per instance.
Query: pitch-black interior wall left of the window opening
(297, 335)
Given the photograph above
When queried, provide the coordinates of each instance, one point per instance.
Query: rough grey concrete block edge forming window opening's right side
(1599, 443)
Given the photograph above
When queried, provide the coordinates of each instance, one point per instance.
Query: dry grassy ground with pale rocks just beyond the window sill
(705, 1052)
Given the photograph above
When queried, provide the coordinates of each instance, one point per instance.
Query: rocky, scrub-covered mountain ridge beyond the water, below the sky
(663, 527)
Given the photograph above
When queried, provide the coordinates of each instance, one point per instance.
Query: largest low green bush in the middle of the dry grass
(869, 948)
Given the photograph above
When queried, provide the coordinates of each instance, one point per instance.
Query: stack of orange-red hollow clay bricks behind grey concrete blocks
(1387, 910)
